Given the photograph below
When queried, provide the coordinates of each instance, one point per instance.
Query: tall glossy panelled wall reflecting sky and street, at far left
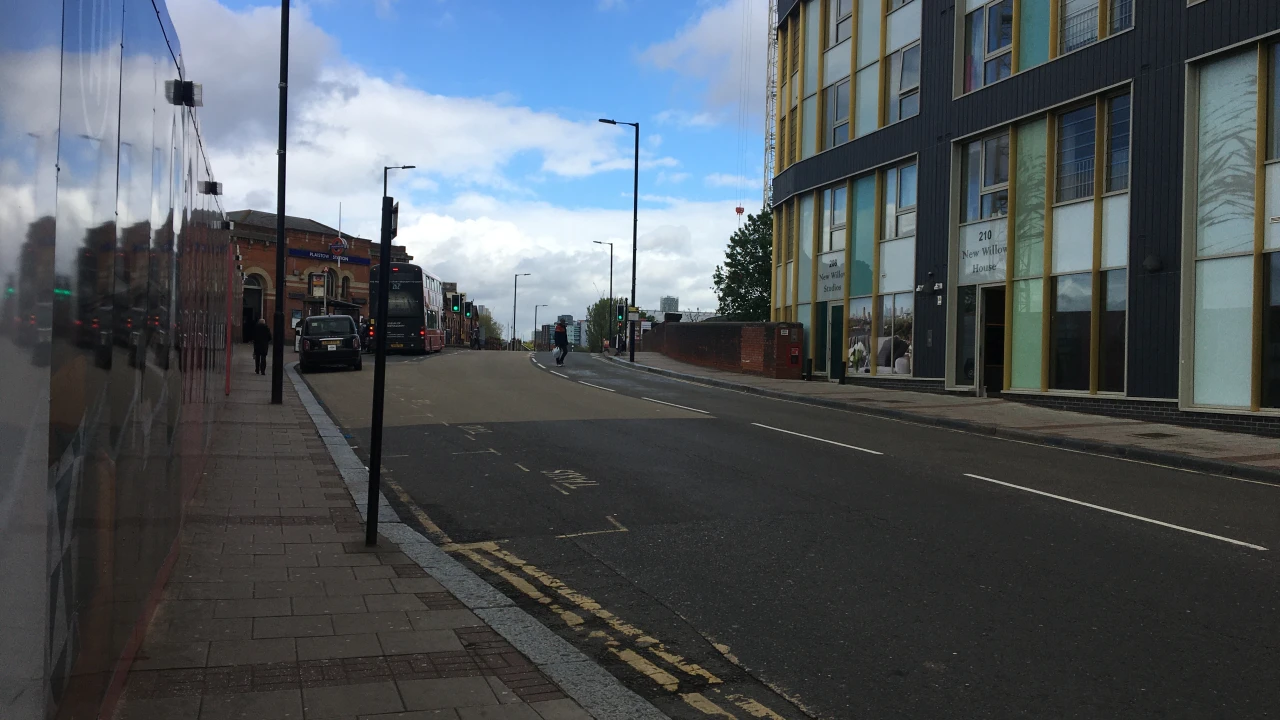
(112, 340)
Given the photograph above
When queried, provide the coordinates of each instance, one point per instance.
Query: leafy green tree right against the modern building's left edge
(743, 282)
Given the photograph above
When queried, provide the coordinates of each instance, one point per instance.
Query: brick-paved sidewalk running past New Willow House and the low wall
(1194, 449)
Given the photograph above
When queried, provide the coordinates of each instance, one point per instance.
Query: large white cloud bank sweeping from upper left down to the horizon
(468, 213)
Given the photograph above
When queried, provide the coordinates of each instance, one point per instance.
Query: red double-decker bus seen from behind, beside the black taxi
(415, 307)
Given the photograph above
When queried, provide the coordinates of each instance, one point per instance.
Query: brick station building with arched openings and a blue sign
(309, 259)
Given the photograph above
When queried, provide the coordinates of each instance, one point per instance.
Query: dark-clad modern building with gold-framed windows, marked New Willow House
(1069, 202)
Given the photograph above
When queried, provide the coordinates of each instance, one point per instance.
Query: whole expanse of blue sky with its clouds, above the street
(497, 102)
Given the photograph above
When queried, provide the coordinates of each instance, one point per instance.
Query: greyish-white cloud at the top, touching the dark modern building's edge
(724, 51)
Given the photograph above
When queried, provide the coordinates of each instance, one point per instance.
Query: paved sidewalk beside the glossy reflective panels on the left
(277, 609)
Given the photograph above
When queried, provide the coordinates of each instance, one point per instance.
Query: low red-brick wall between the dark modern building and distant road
(757, 349)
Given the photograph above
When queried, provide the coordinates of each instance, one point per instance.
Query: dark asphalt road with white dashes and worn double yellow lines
(724, 553)
